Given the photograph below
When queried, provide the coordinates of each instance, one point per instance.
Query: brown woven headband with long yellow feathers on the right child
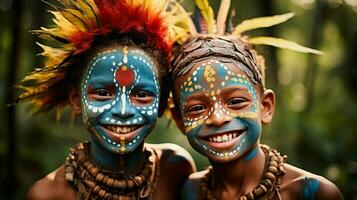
(206, 36)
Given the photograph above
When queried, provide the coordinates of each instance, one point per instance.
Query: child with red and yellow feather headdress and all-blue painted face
(108, 60)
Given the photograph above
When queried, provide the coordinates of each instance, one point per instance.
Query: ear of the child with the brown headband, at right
(268, 106)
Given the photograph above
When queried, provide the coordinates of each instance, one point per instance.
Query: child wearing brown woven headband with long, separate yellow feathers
(221, 103)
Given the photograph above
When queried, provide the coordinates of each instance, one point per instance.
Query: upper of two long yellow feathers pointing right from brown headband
(261, 22)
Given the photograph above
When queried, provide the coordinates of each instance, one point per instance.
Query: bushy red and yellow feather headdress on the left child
(76, 25)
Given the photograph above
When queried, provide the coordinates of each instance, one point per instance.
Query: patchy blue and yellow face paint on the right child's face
(220, 110)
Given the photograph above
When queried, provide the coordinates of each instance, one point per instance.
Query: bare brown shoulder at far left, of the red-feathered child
(53, 186)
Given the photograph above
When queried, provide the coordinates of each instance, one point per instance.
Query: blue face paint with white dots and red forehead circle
(120, 98)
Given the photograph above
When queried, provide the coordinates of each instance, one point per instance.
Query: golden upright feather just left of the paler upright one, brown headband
(207, 14)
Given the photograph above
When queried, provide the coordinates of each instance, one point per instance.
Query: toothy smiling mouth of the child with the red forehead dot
(119, 133)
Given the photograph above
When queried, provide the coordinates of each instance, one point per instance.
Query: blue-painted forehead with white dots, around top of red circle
(105, 62)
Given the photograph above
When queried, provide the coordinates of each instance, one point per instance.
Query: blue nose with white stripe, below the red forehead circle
(123, 108)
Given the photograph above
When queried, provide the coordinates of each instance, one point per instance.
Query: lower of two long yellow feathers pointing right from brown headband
(284, 44)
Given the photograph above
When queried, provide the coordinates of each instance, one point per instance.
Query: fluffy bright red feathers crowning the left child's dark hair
(122, 17)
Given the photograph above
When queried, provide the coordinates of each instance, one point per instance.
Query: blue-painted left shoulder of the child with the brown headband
(192, 186)
